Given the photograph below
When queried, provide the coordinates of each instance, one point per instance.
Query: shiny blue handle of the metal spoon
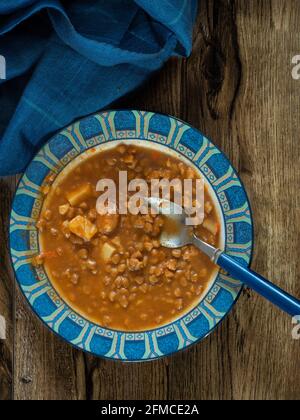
(262, 286)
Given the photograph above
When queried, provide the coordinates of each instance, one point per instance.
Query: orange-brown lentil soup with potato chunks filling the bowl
(111, 268)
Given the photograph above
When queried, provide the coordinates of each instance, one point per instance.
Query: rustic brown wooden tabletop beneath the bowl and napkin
(238, 89)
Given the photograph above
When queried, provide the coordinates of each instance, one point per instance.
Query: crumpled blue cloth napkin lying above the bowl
(66, 59)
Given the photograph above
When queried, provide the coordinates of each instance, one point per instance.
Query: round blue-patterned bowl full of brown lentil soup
(103, 282)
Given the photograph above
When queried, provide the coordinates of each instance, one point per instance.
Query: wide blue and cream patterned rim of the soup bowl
(52, 158)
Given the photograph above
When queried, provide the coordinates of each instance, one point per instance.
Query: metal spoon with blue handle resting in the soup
(177, 234)
